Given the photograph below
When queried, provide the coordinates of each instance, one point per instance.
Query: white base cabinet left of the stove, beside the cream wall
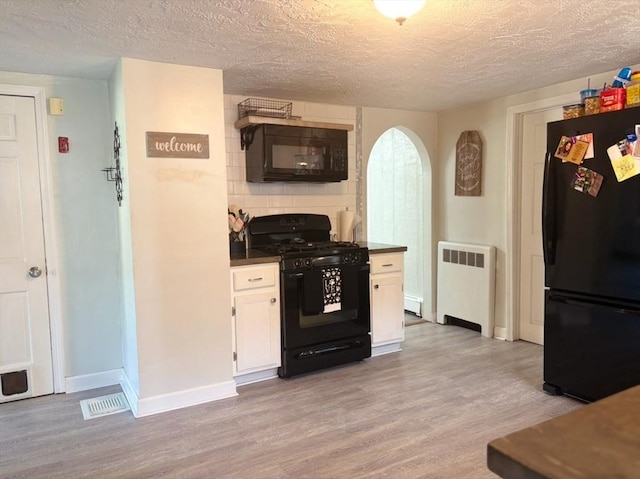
(255, 294)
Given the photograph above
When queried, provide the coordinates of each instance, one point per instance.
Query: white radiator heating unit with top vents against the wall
(466, 284)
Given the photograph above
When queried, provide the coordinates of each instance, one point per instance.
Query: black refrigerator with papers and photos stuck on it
(591, 250)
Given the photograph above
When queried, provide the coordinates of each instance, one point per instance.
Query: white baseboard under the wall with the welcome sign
(185, 398)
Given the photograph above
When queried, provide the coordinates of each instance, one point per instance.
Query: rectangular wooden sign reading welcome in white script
(177, 145)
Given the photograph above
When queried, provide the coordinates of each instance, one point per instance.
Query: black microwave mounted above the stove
(297, 153)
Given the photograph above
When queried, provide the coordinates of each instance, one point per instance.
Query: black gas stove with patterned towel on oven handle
(324, 289)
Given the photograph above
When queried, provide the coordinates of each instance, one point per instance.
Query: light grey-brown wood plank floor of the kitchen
(425, 412)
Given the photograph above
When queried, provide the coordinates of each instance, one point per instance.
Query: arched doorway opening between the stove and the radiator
(396, 206)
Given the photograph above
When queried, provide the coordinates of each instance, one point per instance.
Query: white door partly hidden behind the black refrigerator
(534, 146)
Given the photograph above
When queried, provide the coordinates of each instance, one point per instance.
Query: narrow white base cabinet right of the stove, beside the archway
(387, 301)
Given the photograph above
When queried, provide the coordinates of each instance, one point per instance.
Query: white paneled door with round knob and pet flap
(25, 344)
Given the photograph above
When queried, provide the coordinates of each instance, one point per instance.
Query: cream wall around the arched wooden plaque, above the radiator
(483, 219)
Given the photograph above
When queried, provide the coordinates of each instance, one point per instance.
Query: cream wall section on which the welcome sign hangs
(179, 235)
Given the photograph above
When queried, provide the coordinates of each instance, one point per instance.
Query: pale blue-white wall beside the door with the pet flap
(84, 205)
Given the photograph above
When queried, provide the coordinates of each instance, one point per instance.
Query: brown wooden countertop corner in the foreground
(599, 440)
